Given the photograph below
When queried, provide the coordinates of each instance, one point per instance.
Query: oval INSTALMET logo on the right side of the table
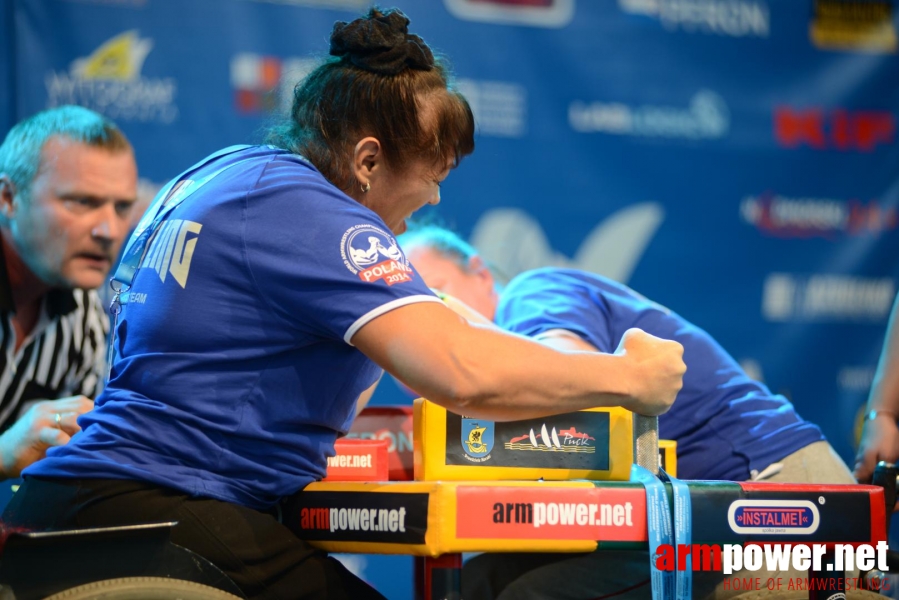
(773, 517)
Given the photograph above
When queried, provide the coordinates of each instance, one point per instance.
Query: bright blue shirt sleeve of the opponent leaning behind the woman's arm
(545, 299)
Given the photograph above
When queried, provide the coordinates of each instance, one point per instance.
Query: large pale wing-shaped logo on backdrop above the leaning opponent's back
(514, 242)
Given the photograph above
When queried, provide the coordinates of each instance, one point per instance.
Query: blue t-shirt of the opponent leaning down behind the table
(725, 423)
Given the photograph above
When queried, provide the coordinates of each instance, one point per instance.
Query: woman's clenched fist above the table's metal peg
(657, 369)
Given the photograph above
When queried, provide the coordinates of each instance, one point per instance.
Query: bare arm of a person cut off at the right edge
(880, 437)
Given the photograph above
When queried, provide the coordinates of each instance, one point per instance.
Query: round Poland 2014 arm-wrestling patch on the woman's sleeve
(373, 255)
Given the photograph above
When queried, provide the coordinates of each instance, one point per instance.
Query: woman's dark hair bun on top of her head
(381, 43)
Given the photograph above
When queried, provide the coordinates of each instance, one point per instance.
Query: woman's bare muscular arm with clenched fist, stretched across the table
(487, 373)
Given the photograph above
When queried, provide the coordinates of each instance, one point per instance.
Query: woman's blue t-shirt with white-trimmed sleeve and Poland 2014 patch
(234, 373)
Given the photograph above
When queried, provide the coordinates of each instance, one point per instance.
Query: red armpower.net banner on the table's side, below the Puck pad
(606, 514)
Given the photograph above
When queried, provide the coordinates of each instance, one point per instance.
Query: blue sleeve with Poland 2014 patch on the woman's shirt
(326, 264)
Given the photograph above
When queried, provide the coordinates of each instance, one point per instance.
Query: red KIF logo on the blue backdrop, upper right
(834, 130)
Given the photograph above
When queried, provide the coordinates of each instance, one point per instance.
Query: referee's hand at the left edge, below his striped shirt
(37, 430)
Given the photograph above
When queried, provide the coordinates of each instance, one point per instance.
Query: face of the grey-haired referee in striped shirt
(70, 226)
